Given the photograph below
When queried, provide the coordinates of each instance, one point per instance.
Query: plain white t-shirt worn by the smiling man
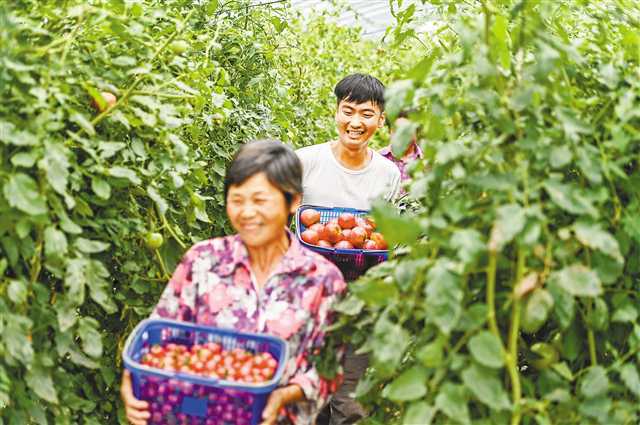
(325, 182)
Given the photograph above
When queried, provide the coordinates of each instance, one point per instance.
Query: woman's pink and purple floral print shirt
(213, 285)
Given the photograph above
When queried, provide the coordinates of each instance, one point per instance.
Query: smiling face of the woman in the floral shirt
(258, 211)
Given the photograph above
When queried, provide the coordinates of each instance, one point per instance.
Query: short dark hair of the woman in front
(278, 161)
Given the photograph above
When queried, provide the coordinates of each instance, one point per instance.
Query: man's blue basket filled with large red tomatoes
(346, 236)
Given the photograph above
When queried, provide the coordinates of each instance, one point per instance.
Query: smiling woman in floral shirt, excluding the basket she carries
(259, 280)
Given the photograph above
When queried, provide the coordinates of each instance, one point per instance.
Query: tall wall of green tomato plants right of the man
(513, 294)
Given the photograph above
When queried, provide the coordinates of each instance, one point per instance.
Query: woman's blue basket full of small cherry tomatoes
(193, 374)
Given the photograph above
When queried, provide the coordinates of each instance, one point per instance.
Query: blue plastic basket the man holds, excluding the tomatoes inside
(351, 262)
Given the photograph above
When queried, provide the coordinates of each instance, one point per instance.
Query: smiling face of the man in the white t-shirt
(357, 122)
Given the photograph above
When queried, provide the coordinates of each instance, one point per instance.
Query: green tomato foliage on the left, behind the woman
(97, 207)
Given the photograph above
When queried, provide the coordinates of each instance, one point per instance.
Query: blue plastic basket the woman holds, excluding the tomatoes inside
(197, 399)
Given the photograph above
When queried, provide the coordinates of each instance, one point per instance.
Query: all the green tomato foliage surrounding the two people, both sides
(512, 294)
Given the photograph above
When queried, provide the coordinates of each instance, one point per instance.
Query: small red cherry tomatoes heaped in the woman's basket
(211, 360)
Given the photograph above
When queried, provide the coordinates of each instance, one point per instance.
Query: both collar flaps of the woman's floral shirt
(295, 259)
